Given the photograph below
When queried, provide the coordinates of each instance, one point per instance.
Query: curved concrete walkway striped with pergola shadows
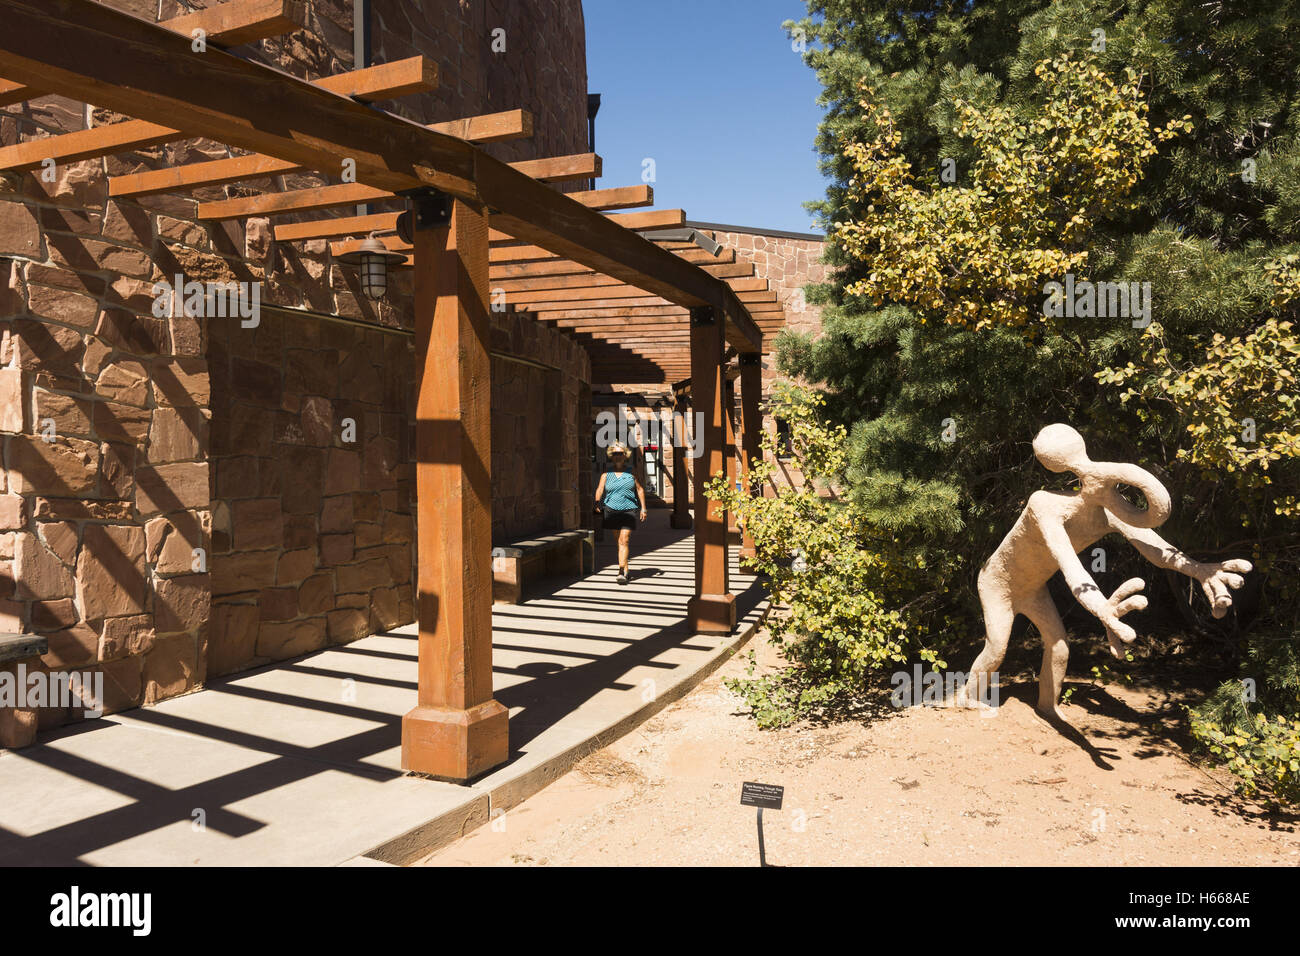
(300, 764)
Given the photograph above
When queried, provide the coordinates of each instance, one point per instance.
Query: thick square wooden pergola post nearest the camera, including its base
(457, 730)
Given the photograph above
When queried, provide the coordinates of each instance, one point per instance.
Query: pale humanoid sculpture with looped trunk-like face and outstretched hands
(1050, 535)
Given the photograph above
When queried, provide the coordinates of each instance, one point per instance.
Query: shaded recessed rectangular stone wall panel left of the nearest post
(313, 522)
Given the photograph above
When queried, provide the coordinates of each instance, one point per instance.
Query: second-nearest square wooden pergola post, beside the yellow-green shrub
(713, 609)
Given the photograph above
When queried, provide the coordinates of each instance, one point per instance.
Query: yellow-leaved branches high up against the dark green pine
(980, 254)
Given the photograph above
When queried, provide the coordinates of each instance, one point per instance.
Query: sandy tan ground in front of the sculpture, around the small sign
(924, 786)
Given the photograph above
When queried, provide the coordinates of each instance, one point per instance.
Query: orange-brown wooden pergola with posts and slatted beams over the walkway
(479, 228)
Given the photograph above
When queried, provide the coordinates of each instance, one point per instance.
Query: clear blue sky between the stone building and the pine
(714, 94)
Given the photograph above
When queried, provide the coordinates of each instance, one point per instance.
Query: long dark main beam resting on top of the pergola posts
(153, 75)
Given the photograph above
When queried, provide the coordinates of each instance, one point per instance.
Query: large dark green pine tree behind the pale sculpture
(1215, 209)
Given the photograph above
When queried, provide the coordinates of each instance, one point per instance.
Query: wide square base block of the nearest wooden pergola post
(456, 745)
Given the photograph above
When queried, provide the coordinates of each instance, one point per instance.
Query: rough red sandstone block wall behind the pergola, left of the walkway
(179, 434)
